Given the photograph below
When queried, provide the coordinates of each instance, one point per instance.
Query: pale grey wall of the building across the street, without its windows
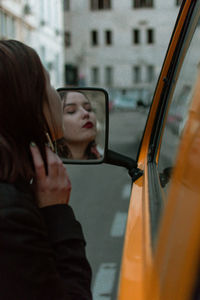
(122, 55)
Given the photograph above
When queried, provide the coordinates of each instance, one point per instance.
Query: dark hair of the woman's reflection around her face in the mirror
(63, 149)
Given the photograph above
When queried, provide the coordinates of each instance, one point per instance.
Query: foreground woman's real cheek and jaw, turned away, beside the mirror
(54, 116)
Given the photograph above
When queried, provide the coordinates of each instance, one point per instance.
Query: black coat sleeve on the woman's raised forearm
(68, 242)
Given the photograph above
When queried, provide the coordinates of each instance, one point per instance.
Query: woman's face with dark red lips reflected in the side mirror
(79, 118)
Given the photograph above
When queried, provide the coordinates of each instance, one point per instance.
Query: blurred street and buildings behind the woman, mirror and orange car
(116, 45)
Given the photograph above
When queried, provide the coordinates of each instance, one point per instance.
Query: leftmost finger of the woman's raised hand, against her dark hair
(38, 161)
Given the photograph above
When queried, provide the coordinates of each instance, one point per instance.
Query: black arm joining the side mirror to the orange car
(117, 159)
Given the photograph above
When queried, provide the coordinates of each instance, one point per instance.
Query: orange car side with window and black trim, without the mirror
(160, 256)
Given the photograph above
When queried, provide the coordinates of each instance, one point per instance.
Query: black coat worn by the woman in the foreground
(42, 251)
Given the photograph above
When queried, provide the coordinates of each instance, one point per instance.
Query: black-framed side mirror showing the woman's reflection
(85, 119)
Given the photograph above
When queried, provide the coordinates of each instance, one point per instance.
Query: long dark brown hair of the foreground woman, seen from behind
(22, 121)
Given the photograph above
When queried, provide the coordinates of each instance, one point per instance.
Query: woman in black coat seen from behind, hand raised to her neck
(42, 248)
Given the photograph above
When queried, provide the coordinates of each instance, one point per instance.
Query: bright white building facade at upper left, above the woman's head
(40, 25)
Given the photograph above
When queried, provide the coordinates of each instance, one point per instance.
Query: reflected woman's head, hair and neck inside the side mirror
(79, 127)
